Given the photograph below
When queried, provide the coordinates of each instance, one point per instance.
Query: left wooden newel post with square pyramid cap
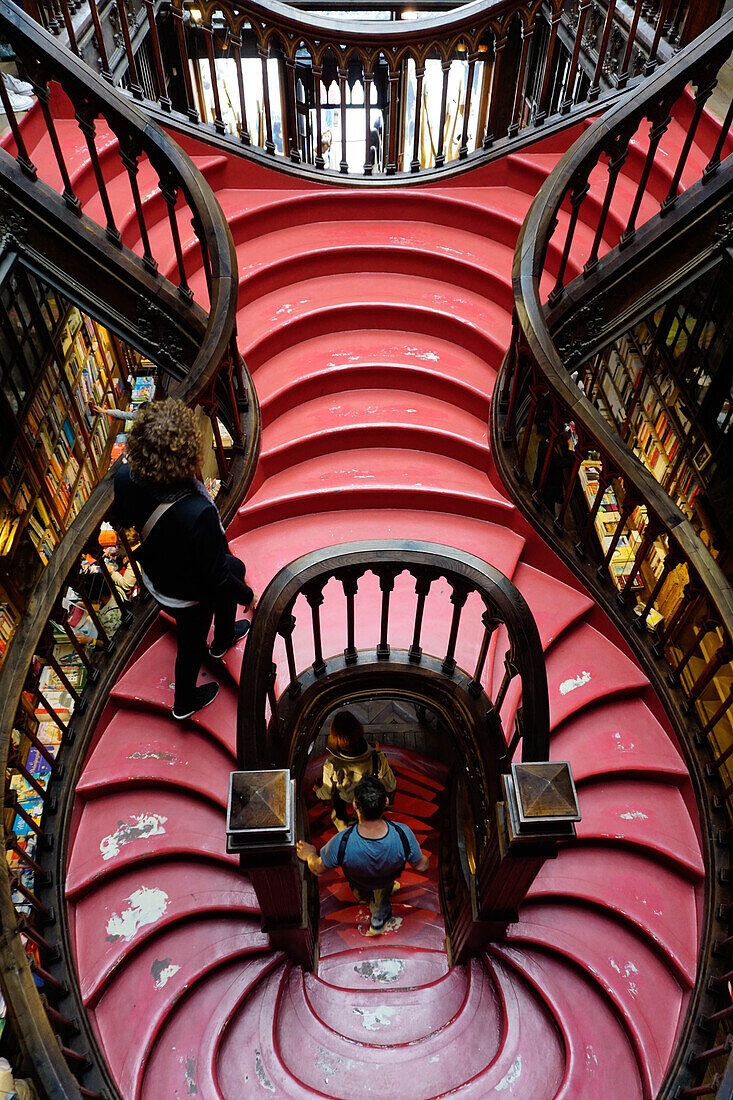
(261, 829)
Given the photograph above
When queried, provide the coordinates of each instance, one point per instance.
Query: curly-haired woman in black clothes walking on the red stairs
(184, 554)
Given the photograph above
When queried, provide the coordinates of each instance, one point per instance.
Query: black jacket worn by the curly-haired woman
(185, 555)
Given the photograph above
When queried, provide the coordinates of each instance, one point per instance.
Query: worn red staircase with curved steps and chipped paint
(374, 322)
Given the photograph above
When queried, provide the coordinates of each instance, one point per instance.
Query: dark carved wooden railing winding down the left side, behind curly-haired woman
(112, 271)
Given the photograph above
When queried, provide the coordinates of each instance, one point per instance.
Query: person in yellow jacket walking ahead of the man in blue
(351, 758)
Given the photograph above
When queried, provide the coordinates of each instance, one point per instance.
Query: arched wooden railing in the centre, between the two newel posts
(297, 670)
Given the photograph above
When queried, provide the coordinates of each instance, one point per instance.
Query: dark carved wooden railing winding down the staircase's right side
(628, 261)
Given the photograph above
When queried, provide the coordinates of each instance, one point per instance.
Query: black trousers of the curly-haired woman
(194, 625)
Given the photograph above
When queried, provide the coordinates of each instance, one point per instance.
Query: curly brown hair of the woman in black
(165, 445)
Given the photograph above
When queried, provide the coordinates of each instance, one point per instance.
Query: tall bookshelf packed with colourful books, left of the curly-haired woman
(56, 362)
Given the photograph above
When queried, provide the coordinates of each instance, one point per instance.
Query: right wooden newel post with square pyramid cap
(538, 813)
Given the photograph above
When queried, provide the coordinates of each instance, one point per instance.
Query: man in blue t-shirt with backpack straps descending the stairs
(373, 853)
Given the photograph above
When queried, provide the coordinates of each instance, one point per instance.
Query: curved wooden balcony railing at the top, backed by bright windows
(452, 86)
